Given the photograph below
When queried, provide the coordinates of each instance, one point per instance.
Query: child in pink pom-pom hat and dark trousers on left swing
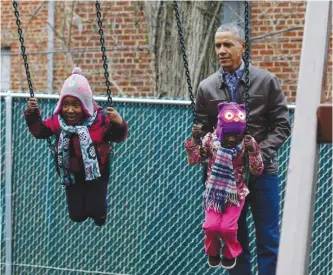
(83, 131)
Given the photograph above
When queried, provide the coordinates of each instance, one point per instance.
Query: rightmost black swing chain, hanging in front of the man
(247, 84)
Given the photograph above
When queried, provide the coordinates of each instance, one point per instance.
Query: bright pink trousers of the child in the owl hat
(224, 226)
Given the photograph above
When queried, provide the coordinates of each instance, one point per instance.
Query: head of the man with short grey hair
(229, 50)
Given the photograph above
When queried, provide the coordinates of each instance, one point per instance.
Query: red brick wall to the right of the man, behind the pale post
(280, 53)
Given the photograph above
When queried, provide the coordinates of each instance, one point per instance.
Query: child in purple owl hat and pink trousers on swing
(225, 187)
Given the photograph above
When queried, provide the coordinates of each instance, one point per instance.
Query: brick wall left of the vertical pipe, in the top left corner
(33, 39)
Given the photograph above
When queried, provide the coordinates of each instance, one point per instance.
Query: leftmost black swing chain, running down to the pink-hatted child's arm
(26, 65)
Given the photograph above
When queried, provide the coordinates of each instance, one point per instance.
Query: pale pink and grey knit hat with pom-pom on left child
(77, 86)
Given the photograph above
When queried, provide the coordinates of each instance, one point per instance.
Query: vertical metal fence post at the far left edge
(8, 177)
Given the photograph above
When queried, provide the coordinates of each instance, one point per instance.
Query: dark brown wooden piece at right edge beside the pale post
(324, 125)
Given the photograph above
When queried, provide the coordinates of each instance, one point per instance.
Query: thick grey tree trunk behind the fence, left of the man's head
(199, 22)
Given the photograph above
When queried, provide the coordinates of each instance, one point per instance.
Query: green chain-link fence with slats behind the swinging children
(155, 200)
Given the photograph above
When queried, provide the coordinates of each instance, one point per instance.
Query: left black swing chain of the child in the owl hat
(187, 71)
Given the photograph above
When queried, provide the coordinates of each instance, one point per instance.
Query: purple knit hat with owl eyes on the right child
(231, 119)
